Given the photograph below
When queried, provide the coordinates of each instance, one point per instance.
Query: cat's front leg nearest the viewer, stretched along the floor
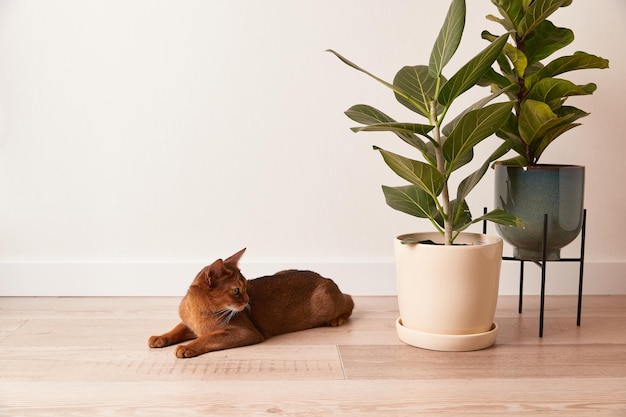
(227, 338)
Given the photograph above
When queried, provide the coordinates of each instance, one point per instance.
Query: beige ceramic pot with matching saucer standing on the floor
(447, 295)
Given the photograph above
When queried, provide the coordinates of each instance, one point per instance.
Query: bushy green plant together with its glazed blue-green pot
(523, 186)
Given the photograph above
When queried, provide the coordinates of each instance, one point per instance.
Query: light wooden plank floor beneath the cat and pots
(89, 357)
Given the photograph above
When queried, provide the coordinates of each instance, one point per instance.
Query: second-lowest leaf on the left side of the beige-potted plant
(421, 174)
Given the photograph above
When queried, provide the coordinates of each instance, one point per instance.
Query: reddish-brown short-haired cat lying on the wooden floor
(222, 309)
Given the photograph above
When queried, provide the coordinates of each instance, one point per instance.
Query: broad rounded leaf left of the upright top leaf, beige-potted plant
(420, 86)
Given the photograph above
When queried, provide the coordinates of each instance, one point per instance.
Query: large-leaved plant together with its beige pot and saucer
(447, 280)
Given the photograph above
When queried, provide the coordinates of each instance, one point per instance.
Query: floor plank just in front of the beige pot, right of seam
(501, 361)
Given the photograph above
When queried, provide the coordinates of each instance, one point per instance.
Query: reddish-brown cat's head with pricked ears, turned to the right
(223, 282)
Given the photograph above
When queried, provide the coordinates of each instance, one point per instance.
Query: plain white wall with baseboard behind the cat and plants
(140, 140)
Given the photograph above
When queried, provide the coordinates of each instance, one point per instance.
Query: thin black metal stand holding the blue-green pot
(543, 263)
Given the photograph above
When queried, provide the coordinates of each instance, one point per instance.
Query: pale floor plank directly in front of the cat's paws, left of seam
(291, 363)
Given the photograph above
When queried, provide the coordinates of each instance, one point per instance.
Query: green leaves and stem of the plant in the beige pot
(424, 90)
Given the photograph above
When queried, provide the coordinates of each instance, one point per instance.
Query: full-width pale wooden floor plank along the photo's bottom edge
(555, 397)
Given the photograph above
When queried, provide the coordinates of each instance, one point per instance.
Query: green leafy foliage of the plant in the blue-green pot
(540, 114)
